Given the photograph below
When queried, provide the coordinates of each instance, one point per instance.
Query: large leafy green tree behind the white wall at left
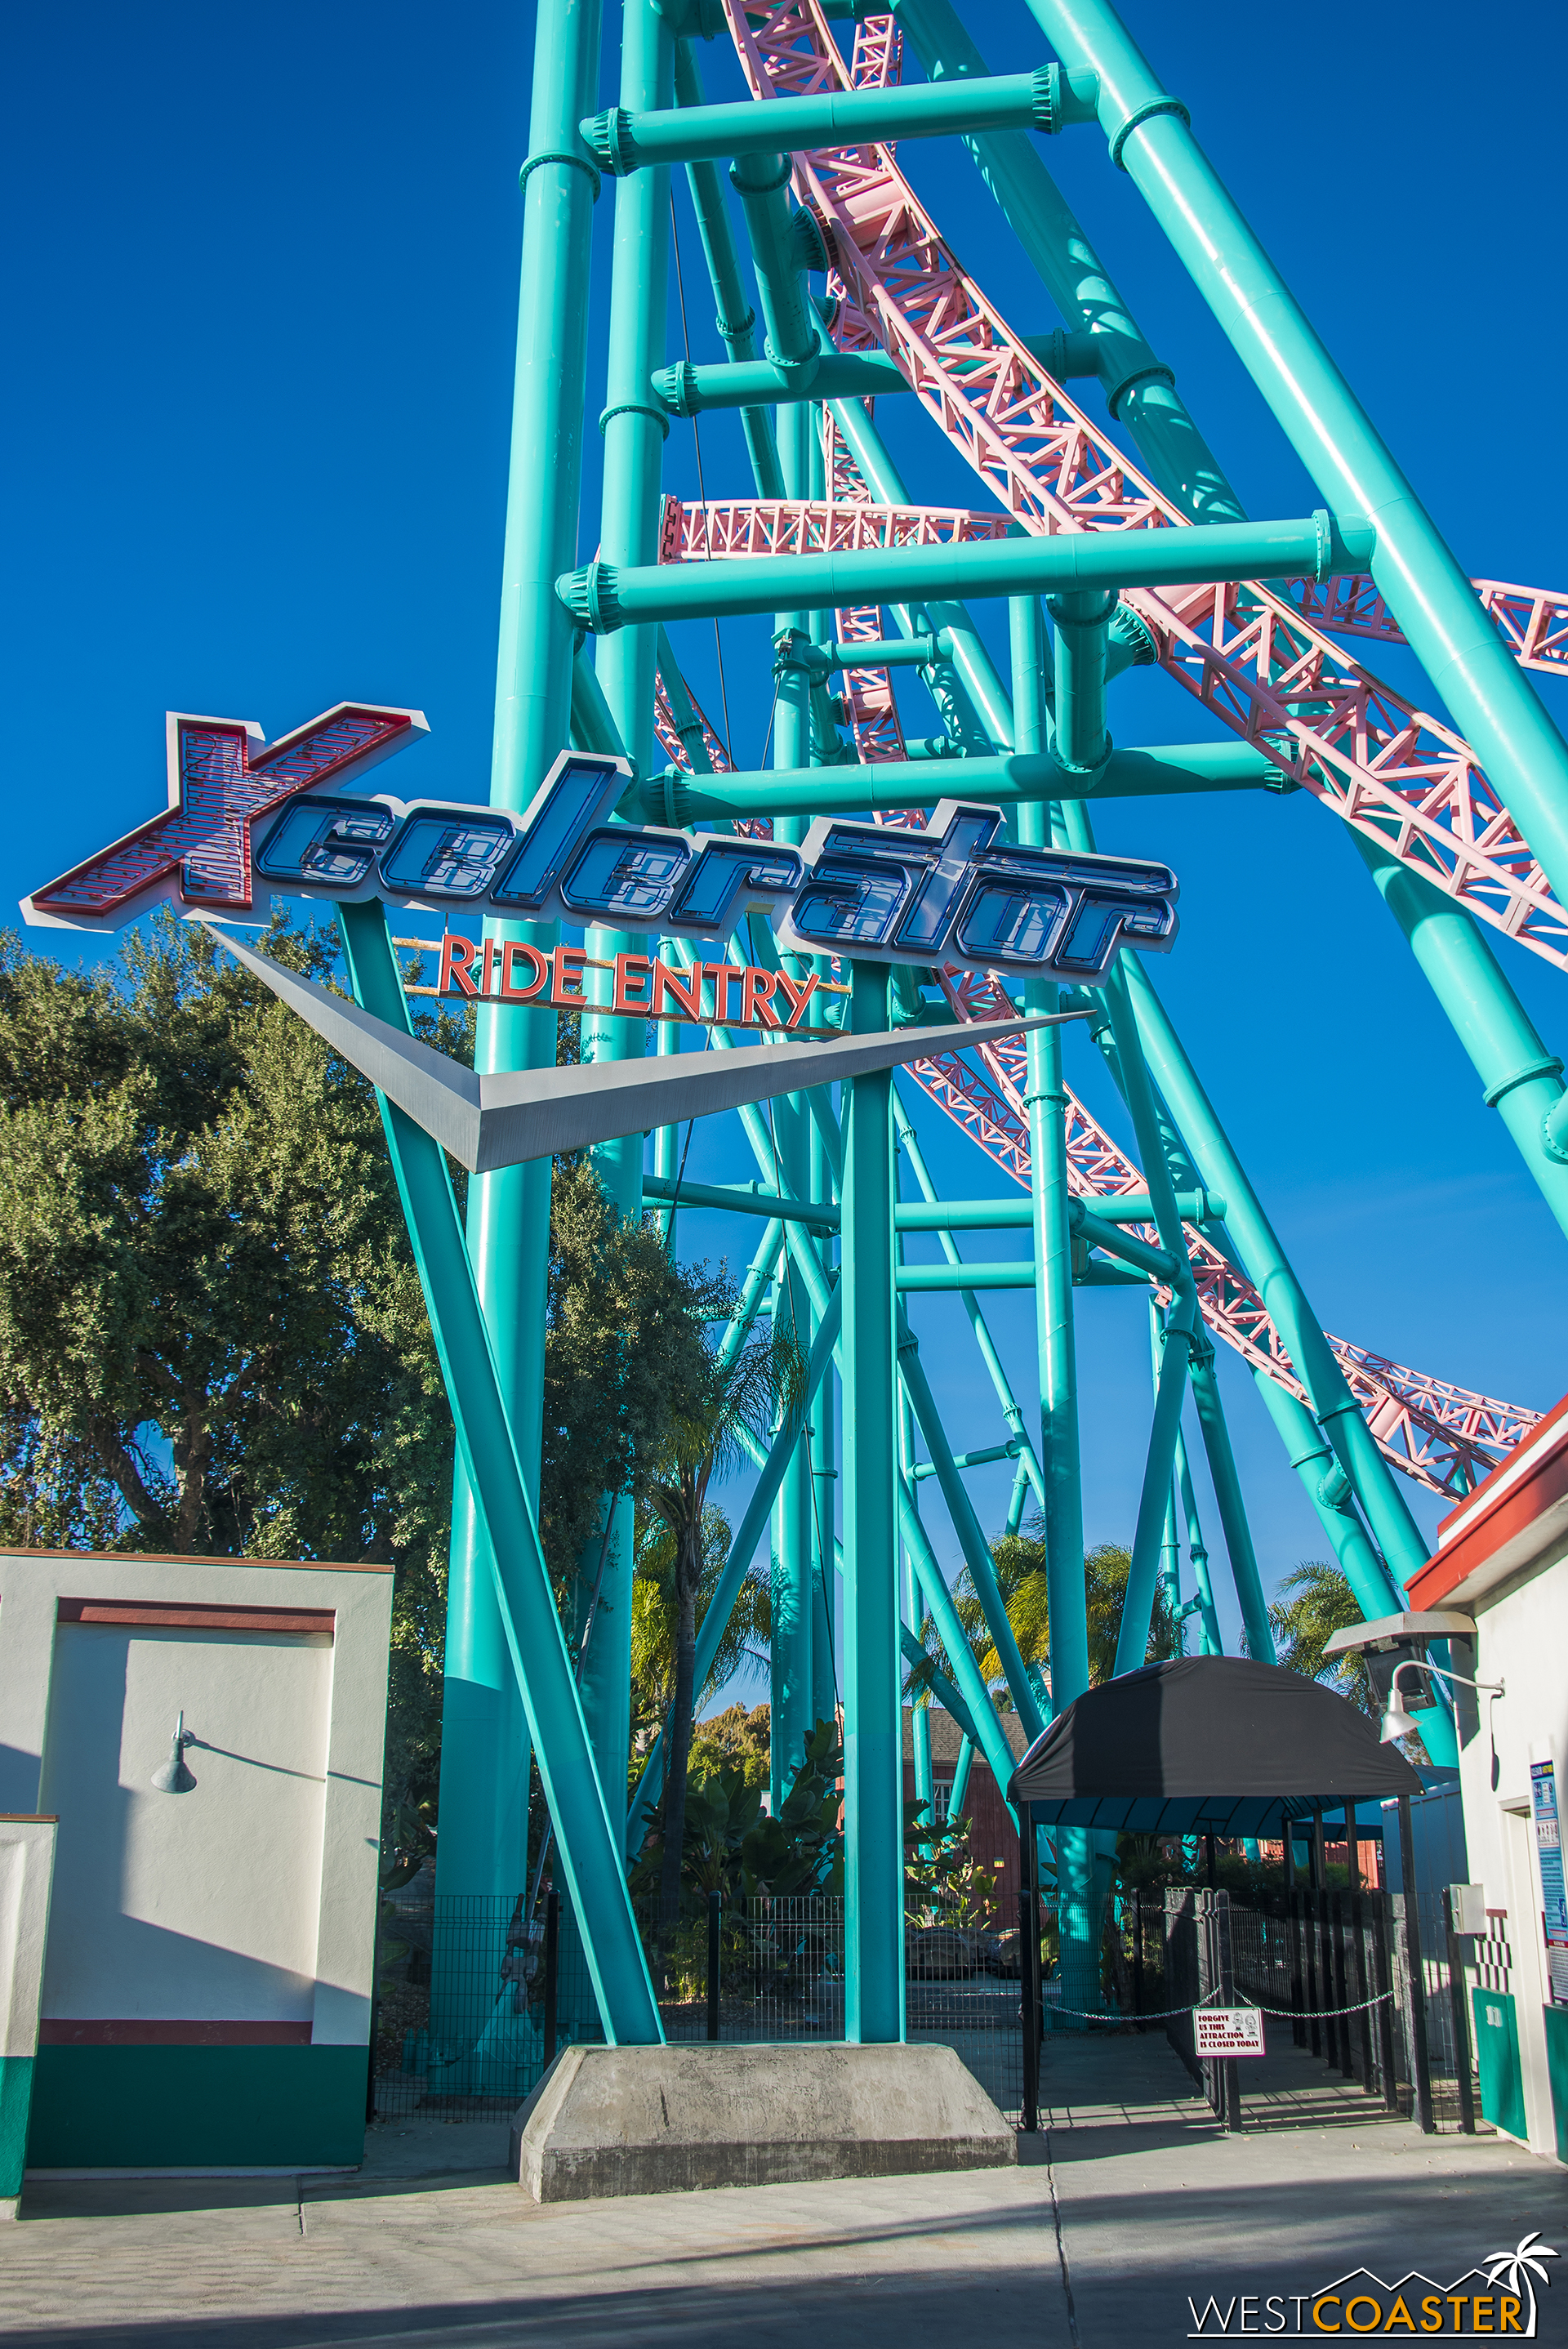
(212, 1335)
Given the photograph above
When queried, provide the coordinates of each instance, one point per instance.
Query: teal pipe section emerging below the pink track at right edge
(1522, 1079)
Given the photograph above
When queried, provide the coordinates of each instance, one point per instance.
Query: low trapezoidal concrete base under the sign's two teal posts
(682, 2118)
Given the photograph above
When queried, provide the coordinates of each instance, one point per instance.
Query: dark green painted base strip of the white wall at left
(196, 2108)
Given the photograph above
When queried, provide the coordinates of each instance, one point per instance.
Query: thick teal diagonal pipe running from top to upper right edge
(1492, 701)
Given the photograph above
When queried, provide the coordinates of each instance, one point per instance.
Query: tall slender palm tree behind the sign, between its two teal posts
(729, 1392)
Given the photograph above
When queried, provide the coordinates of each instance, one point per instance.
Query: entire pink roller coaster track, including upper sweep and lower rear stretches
(1262, 664)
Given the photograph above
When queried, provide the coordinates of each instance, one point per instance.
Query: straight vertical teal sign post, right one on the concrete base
(874, 1768)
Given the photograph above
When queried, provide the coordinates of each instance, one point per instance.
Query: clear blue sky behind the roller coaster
(262, 295)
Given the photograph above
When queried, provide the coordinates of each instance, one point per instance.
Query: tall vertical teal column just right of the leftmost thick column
(626, 664)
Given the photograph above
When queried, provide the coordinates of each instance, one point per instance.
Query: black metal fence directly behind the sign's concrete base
(475, 1998)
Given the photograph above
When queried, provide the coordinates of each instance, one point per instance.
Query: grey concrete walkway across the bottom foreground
(1121, 2209)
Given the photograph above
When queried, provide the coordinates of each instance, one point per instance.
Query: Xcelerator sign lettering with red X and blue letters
(255, 821)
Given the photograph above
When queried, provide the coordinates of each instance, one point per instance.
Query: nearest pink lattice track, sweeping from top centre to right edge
(1252, 659)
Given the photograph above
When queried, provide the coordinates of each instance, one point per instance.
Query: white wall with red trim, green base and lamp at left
(208, 1979)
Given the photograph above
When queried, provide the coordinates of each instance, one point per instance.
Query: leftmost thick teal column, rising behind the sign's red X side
(485, 1754)
